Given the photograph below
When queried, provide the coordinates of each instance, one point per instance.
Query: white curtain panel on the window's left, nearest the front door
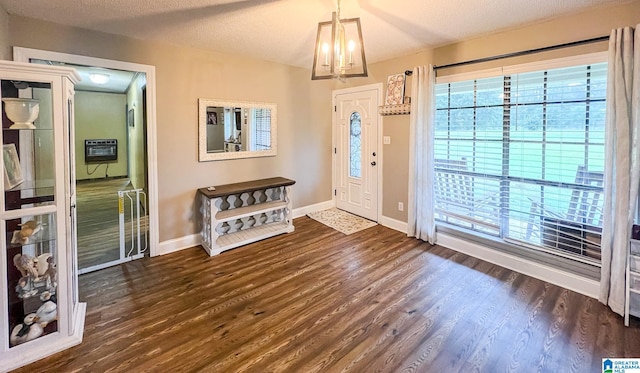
(421, 222)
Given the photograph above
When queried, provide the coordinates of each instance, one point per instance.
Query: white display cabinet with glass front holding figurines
(39, 309)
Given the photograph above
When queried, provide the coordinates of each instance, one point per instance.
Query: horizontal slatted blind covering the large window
(521, 157)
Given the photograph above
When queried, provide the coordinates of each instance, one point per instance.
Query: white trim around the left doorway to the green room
(21, 54)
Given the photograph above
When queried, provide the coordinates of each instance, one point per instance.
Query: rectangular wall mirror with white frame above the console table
(236, 129)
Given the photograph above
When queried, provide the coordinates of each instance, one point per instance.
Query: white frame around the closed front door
(334, 142)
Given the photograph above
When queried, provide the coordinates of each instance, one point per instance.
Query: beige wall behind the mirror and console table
(185, 74)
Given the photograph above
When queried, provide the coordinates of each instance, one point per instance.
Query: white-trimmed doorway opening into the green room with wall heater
(115, 187)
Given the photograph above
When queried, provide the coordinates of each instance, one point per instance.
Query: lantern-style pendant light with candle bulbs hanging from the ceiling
(339, 50)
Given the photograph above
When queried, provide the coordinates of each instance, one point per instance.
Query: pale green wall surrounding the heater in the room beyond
(100, 116)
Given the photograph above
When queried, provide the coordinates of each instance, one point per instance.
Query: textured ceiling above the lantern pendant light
(284, 30)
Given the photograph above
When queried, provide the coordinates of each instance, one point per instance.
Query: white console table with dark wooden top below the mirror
(237, 214)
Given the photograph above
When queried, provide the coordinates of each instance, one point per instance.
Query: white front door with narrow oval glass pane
(356, 152)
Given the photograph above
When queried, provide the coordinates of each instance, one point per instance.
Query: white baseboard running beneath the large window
(563, 279)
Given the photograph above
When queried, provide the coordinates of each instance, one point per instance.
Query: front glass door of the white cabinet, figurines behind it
(30, 210)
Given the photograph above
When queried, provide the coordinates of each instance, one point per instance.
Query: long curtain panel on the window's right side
(622, 162)
